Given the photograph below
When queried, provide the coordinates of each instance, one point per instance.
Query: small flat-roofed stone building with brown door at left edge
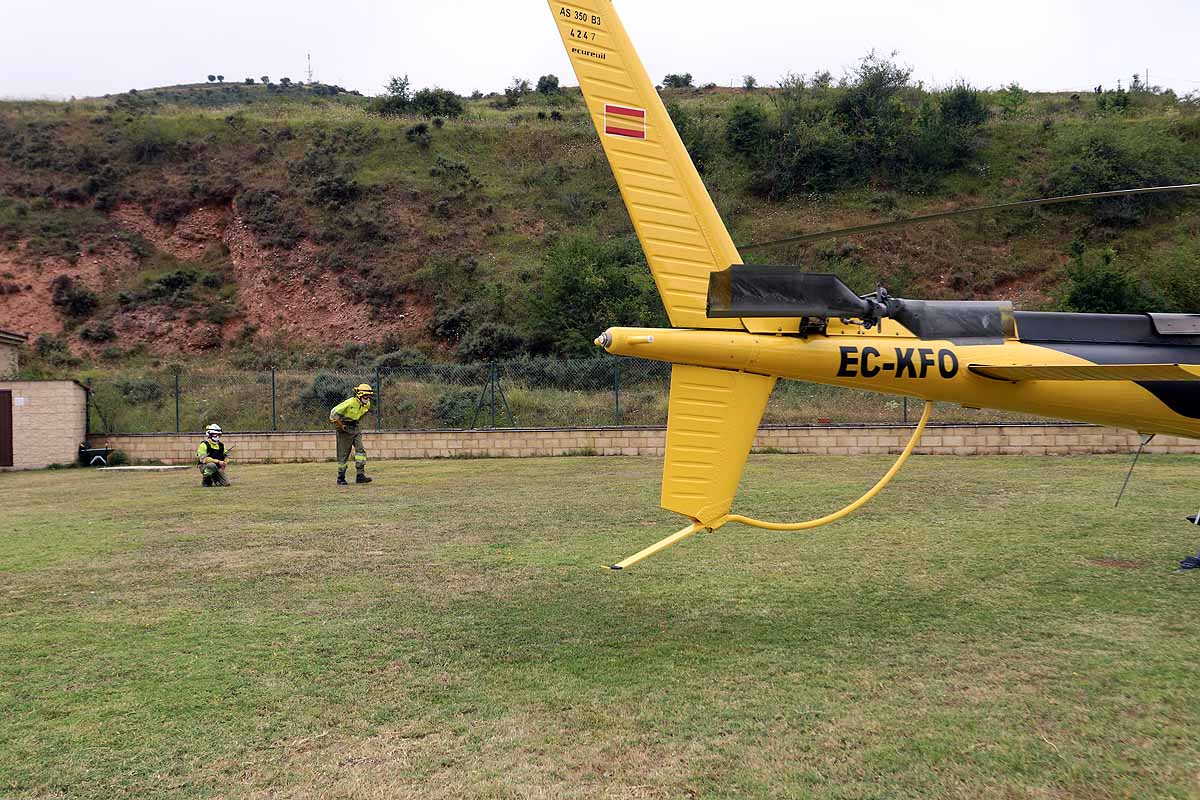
(43, 423)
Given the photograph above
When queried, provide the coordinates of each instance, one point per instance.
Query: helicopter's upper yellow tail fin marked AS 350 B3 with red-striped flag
(681, 232)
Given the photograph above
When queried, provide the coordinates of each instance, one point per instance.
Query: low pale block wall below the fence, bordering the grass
(823, 441)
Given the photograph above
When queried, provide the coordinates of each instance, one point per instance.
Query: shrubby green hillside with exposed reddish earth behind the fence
(499, 231)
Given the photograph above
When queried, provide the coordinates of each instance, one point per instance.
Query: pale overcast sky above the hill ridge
(62, 49)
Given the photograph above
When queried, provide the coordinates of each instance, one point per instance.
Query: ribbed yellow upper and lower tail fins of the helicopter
(715, 414)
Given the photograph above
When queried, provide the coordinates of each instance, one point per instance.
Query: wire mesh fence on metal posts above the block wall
(527, 394)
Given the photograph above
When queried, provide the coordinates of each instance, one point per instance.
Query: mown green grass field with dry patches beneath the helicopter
(989, 628)
